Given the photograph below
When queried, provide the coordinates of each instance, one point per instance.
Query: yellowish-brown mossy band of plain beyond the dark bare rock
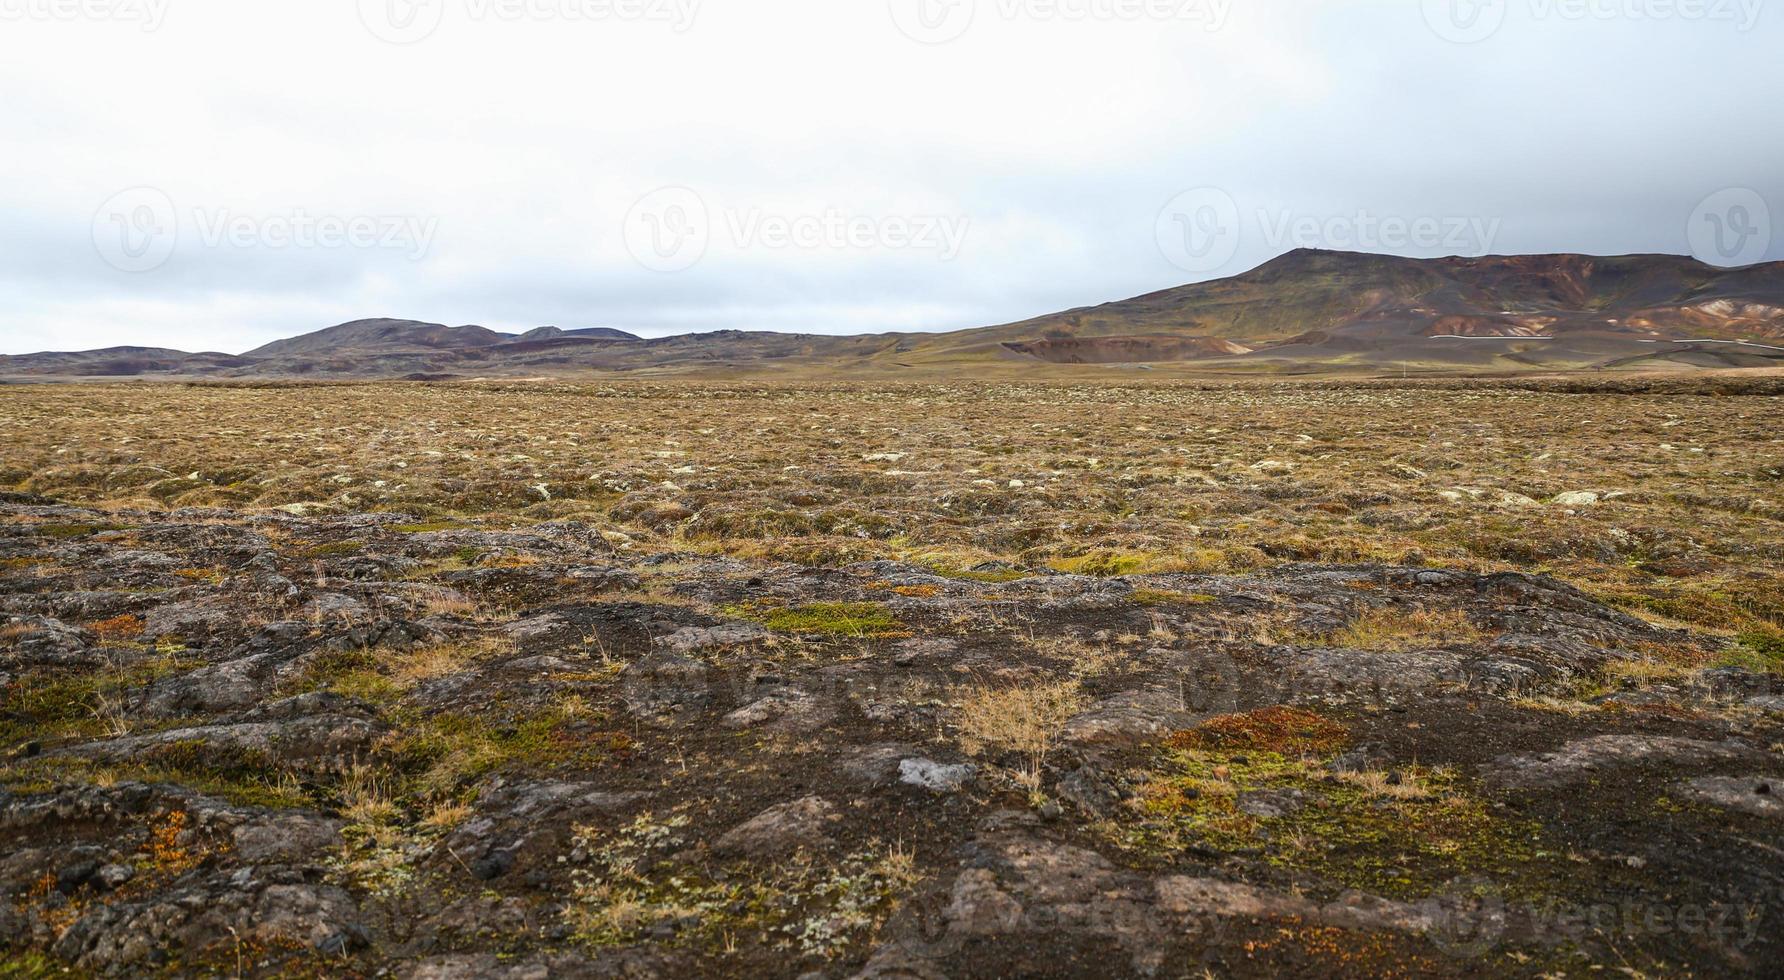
(1177, 483)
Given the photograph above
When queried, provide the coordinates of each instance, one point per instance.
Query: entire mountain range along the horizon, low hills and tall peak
(1307, 311)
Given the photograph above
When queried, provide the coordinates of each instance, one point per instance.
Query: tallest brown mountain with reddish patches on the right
(1334, 311)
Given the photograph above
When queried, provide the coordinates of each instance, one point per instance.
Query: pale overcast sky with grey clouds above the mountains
(217, 174)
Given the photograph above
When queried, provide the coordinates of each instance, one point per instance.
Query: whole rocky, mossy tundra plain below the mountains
(1230, 679)
